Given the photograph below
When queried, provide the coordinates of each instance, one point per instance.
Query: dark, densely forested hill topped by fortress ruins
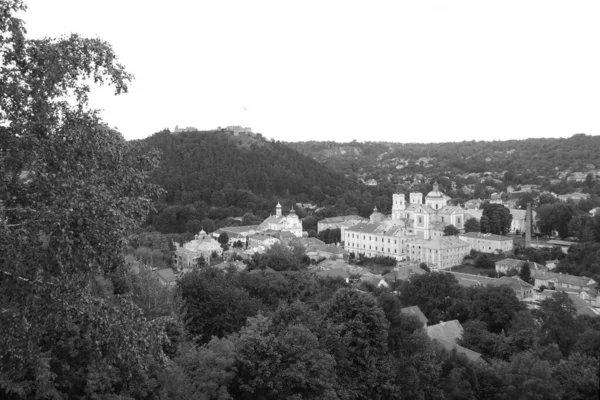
(221, 175)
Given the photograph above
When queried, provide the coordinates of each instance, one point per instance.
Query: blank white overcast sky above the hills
(400, 71)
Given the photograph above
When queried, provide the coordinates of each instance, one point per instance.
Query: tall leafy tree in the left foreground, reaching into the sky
(71, 191)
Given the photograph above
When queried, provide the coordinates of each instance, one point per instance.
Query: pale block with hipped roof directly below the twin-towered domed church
(439, 252)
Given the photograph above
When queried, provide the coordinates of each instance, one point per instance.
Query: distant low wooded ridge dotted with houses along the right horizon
(534, 157)
